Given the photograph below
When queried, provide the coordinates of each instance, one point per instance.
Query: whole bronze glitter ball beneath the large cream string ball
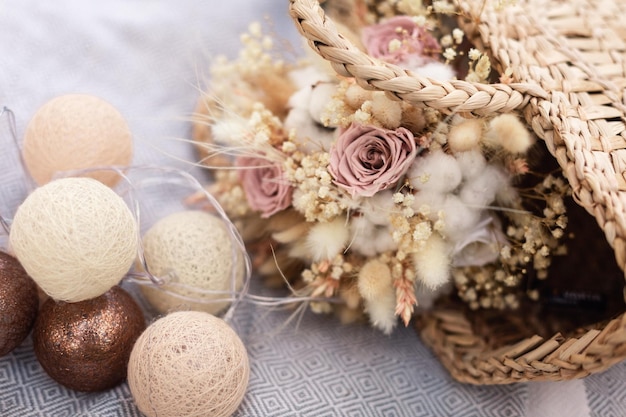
(85, 346)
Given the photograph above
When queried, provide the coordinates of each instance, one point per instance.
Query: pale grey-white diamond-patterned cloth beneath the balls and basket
(148, 58)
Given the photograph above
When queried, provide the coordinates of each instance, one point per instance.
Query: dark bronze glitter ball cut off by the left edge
(19, 303)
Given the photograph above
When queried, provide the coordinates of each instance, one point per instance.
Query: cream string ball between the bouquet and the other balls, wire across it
(192, 249)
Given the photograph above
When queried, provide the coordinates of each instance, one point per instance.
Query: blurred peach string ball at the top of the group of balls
(76, 131)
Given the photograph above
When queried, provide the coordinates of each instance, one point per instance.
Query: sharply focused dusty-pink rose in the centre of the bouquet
(366, 159)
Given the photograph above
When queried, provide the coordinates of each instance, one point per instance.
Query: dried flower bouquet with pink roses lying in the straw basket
(369, 205)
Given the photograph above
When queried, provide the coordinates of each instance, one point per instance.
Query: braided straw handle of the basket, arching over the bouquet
(446, 96)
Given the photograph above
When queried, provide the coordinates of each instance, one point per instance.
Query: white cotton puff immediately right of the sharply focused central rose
(436, 171)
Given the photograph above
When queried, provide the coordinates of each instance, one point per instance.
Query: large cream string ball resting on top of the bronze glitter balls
(75, 237)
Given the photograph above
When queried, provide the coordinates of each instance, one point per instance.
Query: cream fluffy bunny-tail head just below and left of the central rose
(326, 240)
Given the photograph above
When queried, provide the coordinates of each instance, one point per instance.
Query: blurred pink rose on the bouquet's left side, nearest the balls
(265, 186)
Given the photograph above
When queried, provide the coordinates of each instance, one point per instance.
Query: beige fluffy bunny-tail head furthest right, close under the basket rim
(508, 132)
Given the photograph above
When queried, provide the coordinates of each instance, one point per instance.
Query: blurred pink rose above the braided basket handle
(398, 40)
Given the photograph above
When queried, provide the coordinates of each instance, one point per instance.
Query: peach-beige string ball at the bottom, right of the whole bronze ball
(188, 363)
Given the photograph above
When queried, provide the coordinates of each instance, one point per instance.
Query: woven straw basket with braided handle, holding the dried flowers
(569, 66)
